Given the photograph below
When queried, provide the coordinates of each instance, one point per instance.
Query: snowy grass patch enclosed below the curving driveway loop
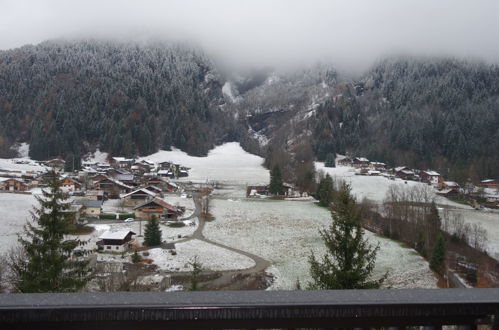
(210, 256)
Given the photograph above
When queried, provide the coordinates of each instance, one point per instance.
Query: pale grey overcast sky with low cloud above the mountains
(352, 33)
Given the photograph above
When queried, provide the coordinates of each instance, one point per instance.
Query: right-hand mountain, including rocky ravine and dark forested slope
(427, 113)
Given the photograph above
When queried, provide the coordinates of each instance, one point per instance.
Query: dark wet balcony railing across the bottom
(250, 309)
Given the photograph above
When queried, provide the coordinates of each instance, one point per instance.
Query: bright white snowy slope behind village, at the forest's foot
(227, 162)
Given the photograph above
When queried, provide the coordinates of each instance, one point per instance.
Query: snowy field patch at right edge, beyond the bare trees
(488, 219)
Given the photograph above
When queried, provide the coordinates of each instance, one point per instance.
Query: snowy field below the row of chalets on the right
(373, 188)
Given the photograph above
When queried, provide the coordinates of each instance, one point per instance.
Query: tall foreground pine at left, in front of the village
(49, 262)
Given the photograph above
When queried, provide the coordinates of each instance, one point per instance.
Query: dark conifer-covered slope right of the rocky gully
(438, 113)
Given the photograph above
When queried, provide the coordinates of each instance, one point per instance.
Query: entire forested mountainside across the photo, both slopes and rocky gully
(134, 98)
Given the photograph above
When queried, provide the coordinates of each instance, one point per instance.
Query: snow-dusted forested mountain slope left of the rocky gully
(128, 98)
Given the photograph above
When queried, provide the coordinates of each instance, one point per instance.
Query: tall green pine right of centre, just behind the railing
(349, 260)
